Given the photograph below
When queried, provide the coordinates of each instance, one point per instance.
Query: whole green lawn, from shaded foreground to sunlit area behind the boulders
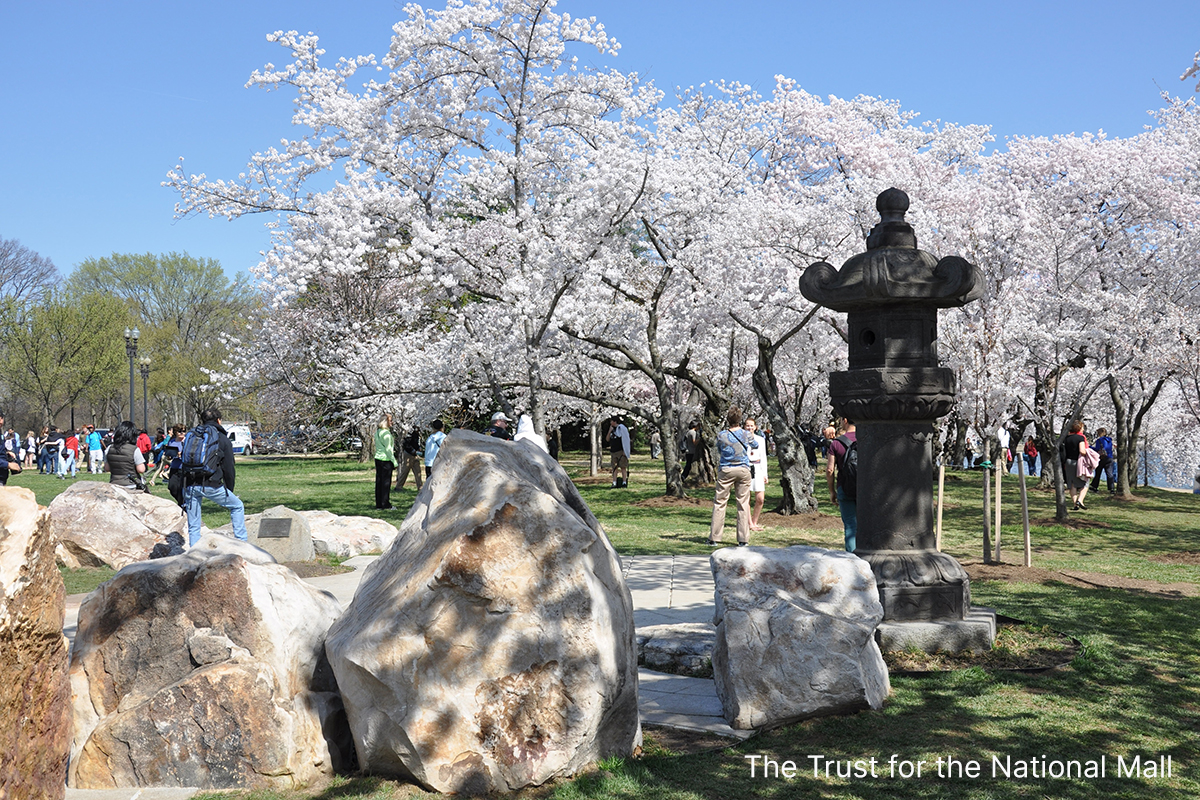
(1132, 691)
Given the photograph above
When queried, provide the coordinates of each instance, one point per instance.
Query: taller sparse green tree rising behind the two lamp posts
(184, 309)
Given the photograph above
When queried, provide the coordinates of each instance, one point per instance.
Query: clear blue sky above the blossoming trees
(98, 101)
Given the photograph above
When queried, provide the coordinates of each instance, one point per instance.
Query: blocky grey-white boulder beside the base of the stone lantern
(795, 635)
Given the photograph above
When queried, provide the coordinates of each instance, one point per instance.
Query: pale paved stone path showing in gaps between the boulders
(667, 590)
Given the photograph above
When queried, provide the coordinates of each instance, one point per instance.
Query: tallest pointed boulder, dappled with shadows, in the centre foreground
(491, 648)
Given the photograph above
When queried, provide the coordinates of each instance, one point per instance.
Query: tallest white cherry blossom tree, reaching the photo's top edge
(471, 184)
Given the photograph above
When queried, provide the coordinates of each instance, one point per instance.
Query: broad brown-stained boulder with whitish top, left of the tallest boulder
(206, 670)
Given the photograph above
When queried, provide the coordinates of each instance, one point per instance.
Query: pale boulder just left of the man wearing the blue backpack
(100, 525)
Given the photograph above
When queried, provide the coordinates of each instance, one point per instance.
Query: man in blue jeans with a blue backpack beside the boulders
(208, 470)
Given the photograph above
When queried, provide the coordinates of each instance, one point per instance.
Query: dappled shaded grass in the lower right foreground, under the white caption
(1131, 693)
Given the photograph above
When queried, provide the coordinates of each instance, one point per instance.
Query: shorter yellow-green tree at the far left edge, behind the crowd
(64, 348)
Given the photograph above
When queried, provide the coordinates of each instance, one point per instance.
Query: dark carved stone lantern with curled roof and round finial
(895, 392)
